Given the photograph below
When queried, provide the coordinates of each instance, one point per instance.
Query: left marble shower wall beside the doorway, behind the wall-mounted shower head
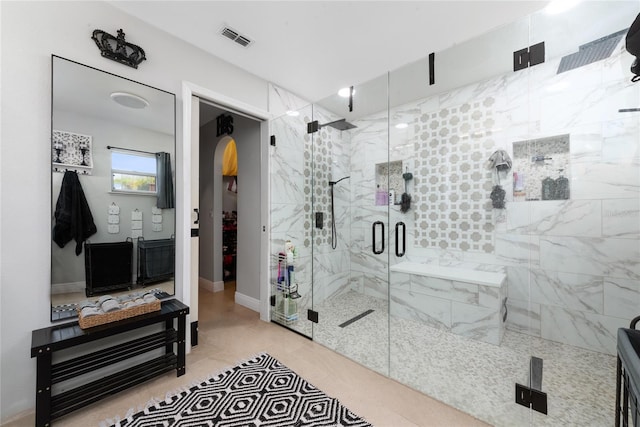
(301, 166)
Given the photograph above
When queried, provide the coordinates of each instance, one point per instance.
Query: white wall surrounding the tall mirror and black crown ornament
(31, 32)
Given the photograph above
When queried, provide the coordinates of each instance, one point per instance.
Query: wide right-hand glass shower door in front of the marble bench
(448, 281)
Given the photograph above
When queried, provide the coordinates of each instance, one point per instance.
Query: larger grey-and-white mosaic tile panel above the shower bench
(452, 185)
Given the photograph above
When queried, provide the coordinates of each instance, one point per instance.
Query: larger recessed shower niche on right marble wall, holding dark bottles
(541, 169)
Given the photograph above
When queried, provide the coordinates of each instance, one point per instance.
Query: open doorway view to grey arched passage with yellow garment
(221, 243)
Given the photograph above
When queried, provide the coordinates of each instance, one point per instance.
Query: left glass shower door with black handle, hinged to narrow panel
(351, 209)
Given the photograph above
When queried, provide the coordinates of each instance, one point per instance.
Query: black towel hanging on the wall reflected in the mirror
(73, 217)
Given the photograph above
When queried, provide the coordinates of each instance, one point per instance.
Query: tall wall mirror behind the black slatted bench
(112, 187)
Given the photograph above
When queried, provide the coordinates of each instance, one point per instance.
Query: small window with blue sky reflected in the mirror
(133, 173)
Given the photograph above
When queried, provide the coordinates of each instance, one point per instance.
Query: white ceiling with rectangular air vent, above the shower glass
(313, 48)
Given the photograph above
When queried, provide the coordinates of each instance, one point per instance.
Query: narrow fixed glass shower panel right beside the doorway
(291, 208)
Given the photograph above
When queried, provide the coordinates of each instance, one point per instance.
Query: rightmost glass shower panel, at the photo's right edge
(584, 281)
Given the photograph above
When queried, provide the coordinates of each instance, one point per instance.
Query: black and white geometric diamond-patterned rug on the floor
(259, 392)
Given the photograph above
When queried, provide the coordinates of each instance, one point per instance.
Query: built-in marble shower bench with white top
(464, 300)
